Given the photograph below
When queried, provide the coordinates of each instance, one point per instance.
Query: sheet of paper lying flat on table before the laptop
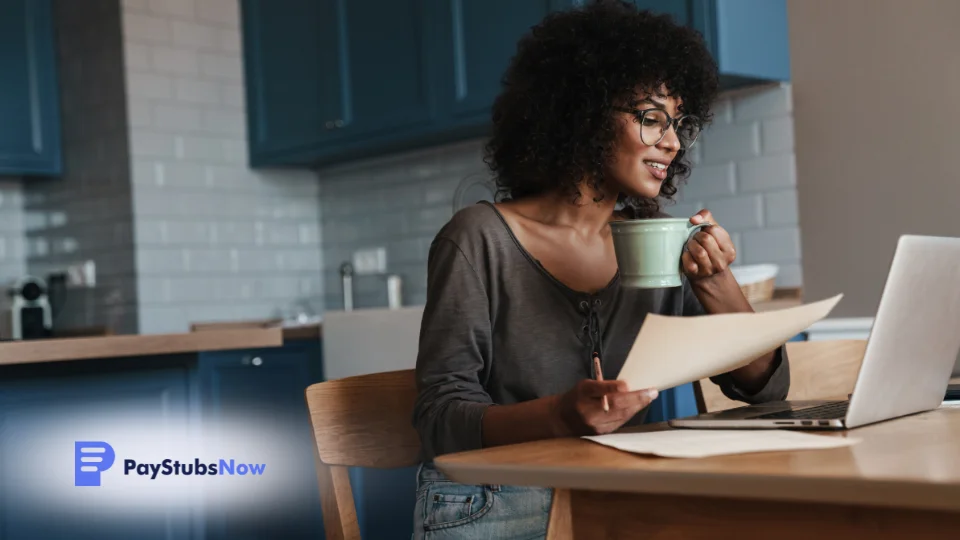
(697, 443)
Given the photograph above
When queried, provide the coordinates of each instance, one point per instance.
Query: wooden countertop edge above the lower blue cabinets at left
(89, 348)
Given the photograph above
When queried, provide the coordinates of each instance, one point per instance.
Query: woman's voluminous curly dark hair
(553, 123)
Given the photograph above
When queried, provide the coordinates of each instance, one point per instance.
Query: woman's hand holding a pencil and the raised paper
(580, 411)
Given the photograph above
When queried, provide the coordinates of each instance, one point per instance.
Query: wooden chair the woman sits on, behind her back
(361, 421)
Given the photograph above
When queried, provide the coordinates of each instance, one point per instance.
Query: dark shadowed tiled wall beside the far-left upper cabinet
(86, 213)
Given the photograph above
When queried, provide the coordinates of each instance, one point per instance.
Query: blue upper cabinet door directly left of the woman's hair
(478, 40)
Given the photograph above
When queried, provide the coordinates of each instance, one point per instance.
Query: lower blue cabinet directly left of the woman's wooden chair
(263, 390)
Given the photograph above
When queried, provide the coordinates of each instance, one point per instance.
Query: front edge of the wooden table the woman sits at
(882, 493)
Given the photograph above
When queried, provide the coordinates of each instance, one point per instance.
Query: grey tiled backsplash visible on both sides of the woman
(746, 176)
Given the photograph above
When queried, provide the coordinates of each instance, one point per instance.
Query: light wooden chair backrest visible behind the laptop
(818, 370)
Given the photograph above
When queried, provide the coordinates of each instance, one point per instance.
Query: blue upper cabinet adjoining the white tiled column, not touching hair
(325, 78)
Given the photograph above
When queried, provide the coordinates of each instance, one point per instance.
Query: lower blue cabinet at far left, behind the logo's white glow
(45, 408)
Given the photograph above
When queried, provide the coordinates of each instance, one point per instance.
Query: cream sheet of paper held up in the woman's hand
(672, 350)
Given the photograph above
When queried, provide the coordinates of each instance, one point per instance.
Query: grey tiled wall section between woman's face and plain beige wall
(746, 176)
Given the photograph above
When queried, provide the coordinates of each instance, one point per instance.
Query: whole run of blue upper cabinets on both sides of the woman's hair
(328, 82)
